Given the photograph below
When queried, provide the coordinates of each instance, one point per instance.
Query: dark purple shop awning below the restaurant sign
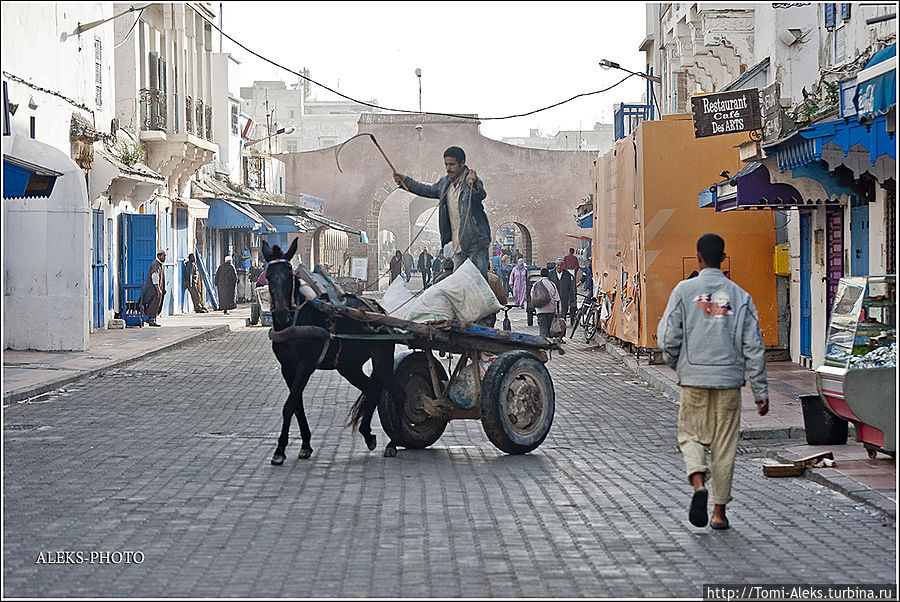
(751, 188)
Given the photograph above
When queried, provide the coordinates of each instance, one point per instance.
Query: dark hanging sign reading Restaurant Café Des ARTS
(726, 113)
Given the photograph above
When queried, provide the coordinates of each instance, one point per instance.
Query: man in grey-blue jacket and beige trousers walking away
(710, 334)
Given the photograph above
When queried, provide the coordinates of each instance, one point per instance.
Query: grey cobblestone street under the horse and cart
(170, 457)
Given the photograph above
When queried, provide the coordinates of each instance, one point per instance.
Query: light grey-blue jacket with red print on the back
(710, 334)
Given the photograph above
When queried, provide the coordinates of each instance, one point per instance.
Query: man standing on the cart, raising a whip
(461, 216)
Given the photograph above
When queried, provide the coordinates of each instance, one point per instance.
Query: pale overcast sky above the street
(489, 58)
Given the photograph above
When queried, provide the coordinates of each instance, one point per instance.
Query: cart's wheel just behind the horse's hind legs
(409, 426)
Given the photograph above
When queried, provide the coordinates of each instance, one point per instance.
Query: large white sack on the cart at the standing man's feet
(464, 295)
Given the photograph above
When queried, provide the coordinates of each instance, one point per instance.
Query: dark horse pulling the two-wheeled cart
(303, 341)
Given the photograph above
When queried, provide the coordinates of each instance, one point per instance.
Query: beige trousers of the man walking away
(710, 419)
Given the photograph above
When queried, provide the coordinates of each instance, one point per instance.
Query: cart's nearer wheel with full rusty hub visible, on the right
(517, 402)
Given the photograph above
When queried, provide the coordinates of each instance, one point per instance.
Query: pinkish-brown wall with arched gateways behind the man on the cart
(538, 189)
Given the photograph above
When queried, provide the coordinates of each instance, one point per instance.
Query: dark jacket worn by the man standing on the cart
(476, 232)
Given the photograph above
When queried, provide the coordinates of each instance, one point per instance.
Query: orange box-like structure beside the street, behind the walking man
(647, 220)
